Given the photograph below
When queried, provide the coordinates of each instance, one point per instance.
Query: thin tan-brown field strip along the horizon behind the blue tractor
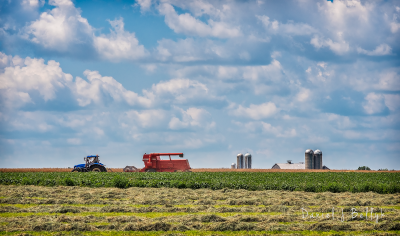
(195, 170)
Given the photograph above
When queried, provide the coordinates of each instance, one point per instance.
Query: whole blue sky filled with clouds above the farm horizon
(210, 79)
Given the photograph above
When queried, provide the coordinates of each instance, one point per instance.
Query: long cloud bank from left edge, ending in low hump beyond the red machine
(23, 77)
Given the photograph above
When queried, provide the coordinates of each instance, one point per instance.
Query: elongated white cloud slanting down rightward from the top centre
(187, 24)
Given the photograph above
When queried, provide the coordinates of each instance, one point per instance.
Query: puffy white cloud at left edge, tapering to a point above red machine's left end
(17, 82)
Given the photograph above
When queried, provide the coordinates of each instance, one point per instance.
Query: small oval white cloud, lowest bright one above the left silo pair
(256, 112)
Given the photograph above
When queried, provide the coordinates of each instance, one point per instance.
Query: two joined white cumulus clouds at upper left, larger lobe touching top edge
(63, 29)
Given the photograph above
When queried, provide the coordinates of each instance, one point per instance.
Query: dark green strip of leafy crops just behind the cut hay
(310, 182)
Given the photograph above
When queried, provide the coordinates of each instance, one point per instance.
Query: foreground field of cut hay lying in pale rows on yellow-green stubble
(73, 210)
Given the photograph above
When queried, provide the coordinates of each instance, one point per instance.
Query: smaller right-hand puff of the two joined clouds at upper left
(119, 44)
